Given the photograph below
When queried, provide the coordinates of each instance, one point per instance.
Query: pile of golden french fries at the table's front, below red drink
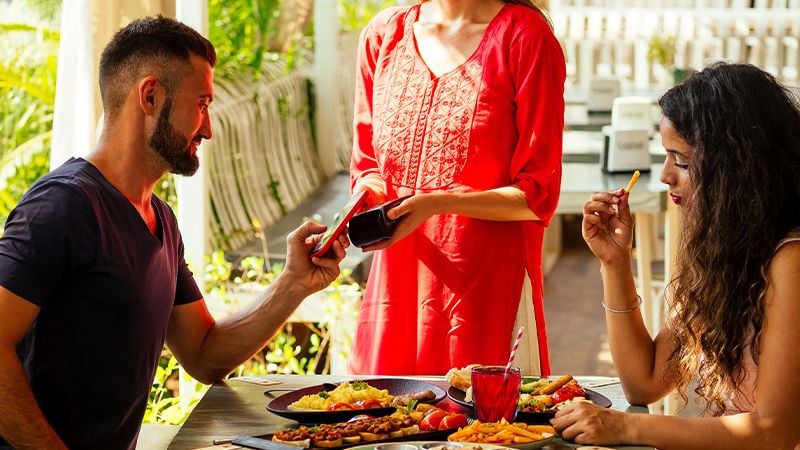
(501, 433)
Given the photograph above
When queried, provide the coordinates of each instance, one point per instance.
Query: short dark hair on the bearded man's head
(158, 46)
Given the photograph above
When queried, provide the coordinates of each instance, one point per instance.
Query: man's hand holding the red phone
(312, 273)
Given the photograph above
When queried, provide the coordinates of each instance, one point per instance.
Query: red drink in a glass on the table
(495, 395)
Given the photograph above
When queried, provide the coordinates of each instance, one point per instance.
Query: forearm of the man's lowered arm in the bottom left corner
(22, 423)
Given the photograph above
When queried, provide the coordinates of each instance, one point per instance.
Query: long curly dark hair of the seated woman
(744, 128)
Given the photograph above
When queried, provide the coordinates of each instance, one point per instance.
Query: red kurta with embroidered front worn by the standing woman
(447, 295)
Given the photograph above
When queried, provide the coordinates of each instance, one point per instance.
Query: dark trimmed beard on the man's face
(171, 146)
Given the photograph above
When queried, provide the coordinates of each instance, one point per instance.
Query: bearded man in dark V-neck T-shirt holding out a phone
(92, 274)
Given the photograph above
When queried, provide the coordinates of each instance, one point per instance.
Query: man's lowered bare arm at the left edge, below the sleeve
(22, 423)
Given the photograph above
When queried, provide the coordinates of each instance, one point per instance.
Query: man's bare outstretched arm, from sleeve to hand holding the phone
(210, 349)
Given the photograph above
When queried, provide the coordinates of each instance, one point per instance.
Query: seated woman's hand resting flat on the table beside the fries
(586, 423)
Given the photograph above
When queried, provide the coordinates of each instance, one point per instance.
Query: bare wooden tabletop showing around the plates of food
(234, 408)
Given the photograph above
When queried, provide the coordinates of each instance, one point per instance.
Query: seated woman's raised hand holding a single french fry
(608, 226)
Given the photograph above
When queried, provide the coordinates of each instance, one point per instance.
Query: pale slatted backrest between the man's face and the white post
(262, 160)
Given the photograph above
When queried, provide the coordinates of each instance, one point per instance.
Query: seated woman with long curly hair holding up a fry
(732, 137)
